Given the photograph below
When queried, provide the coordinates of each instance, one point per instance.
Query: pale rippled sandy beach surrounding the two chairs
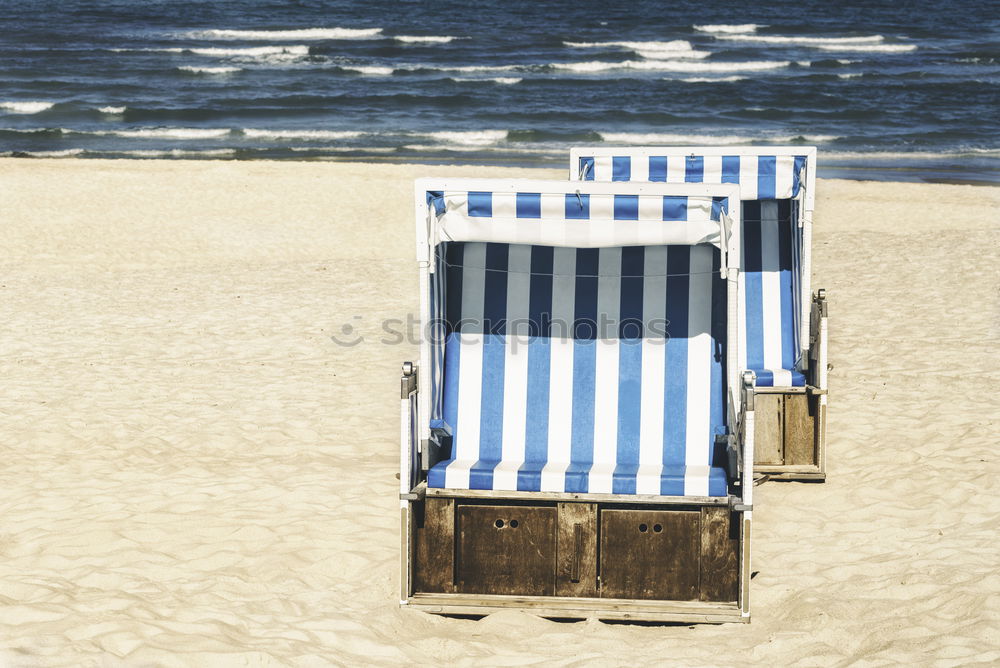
(195, 474)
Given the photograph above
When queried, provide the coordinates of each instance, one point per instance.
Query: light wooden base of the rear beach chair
(788, 431)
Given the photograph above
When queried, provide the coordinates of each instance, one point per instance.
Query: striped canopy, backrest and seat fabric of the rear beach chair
(771, 243)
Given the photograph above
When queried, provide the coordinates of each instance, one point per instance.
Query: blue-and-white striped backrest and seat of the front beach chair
(583, 370)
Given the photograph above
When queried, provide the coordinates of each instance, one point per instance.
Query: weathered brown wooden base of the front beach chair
(581, 558)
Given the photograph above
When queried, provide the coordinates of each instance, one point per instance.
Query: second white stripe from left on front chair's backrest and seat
(515, 379)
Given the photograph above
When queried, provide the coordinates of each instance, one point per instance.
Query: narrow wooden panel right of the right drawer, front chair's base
(720, 562)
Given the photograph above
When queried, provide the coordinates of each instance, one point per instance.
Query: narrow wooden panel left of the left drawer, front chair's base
(434, 570)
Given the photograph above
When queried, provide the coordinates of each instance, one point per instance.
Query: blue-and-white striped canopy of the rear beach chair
(759, 176)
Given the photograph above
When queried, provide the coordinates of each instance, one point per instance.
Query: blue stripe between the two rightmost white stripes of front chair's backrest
(675, 380)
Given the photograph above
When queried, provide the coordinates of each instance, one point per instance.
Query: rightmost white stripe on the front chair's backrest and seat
(699, 381)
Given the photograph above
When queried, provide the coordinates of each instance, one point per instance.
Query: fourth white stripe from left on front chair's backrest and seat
(606, 371)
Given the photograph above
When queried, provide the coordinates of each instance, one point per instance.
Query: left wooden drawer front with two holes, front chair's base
(506, 550)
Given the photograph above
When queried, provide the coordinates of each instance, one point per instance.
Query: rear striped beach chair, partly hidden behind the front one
(785, 328)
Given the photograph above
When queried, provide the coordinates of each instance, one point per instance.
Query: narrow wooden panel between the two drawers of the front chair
(577, 550)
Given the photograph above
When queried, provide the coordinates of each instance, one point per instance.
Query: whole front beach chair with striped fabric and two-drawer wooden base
(574, 433)
